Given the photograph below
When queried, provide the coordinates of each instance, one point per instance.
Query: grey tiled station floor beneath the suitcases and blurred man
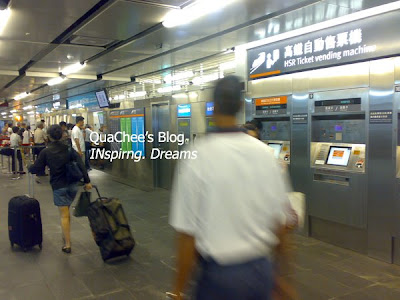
(320, 271)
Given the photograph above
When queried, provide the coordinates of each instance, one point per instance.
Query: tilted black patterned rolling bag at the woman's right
(110, 227)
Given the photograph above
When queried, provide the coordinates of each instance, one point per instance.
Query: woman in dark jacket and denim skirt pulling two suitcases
(56, 156)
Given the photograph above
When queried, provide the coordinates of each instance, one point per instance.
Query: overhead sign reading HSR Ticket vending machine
(347, 43)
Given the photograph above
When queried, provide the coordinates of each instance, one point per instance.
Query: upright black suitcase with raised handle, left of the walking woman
(24, 220)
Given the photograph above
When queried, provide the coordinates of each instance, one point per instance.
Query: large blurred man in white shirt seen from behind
(228, 207)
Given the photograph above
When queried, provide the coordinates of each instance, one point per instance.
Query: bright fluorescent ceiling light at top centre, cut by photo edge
(194, 11)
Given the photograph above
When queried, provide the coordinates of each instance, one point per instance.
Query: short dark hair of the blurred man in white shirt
(227, 96)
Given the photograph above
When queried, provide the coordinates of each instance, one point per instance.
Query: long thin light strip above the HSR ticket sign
(378, 10)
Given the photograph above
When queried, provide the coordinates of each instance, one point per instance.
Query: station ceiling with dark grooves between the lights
(125, 38)
